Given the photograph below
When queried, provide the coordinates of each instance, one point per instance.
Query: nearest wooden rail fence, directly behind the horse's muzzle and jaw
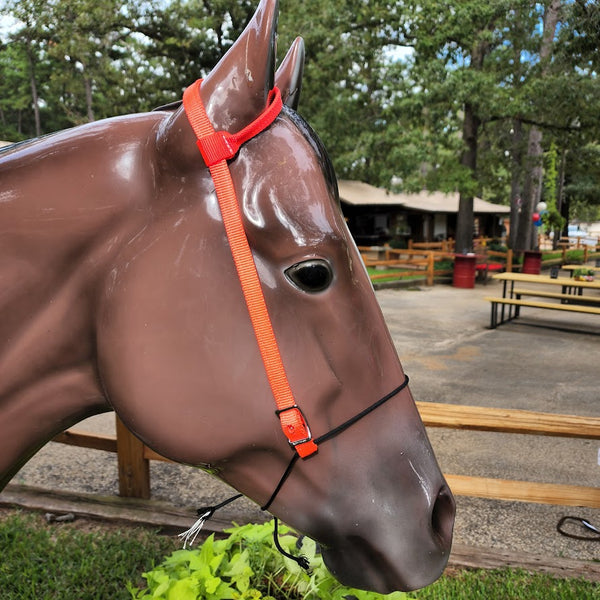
(134, 456)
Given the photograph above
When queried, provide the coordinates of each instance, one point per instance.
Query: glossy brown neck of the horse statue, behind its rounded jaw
(63, 218)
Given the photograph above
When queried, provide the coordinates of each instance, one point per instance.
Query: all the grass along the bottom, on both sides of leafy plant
(67, 562)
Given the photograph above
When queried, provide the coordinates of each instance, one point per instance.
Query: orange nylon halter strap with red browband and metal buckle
(216, 148)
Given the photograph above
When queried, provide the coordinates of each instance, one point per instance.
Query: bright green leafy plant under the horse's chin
(247, 566)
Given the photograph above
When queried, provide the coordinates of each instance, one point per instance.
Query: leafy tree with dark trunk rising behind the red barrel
(465, 61)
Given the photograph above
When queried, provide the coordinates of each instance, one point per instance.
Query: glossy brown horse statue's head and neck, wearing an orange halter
(121, 289)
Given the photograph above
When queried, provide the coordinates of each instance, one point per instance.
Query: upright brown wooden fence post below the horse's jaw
(134, 469)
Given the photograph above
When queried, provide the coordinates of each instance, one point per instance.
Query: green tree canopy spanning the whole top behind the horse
(406, 95)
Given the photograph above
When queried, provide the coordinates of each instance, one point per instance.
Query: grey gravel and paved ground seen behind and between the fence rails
(442, 338)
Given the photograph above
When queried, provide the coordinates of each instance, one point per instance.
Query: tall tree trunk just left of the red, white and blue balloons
(533, 180)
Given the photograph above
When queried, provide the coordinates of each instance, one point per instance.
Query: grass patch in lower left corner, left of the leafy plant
(62, 562)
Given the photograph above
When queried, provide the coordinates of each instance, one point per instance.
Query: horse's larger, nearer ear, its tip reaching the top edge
(236, 90)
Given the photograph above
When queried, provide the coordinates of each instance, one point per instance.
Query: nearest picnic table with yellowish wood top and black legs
(571, 297)
